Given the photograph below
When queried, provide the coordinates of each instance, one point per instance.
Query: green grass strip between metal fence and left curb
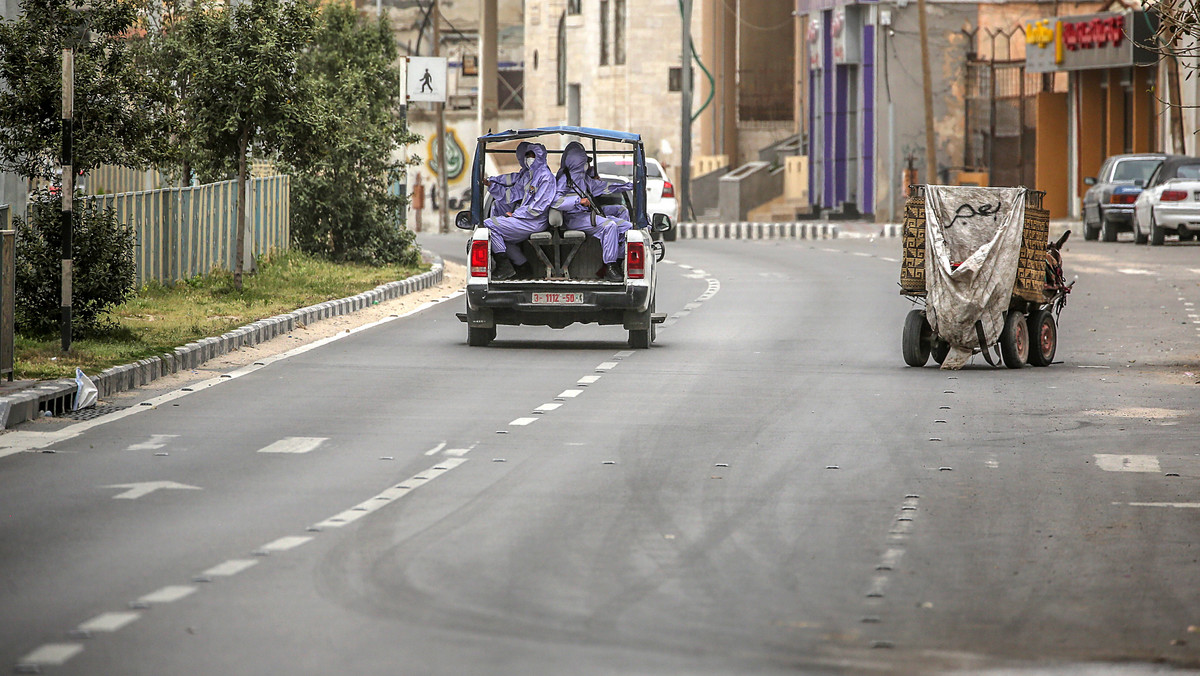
(161, 319)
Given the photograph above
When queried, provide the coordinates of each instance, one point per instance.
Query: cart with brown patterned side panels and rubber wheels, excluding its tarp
(1030, 333)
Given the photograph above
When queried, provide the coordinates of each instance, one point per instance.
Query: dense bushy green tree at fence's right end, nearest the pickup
(341, 205)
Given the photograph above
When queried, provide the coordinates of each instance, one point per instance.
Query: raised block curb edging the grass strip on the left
(58, 397)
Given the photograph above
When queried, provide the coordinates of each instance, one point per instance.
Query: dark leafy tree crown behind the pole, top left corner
(117, 110)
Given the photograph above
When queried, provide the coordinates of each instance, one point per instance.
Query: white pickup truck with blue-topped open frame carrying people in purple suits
(566, 285)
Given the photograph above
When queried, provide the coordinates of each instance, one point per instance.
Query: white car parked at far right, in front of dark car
(1171, 204)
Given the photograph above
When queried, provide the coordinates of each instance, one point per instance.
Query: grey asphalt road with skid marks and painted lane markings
(769, 490)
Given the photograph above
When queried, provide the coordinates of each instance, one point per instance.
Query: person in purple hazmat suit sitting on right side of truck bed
(578, 190)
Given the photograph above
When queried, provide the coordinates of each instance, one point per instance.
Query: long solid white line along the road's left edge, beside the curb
(21, 442)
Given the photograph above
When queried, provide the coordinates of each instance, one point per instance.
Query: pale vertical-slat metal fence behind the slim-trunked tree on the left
(184, 232)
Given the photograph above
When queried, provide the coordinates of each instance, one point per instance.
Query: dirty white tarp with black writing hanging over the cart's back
(981, 230)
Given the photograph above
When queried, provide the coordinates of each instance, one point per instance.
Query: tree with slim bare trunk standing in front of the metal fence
(245, 91)
